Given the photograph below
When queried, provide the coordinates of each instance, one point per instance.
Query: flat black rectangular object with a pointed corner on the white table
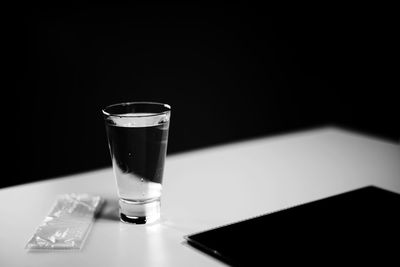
(357, 226)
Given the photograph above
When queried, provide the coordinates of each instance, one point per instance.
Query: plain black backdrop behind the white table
(229, 72)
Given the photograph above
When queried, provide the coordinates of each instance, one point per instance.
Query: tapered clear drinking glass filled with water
(137, 135)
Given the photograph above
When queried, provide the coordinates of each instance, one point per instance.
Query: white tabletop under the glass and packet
(202, 189)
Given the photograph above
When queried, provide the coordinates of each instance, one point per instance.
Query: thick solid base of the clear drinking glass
(139, 212)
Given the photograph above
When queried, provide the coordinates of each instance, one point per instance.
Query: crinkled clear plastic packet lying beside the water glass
(68, 223)
